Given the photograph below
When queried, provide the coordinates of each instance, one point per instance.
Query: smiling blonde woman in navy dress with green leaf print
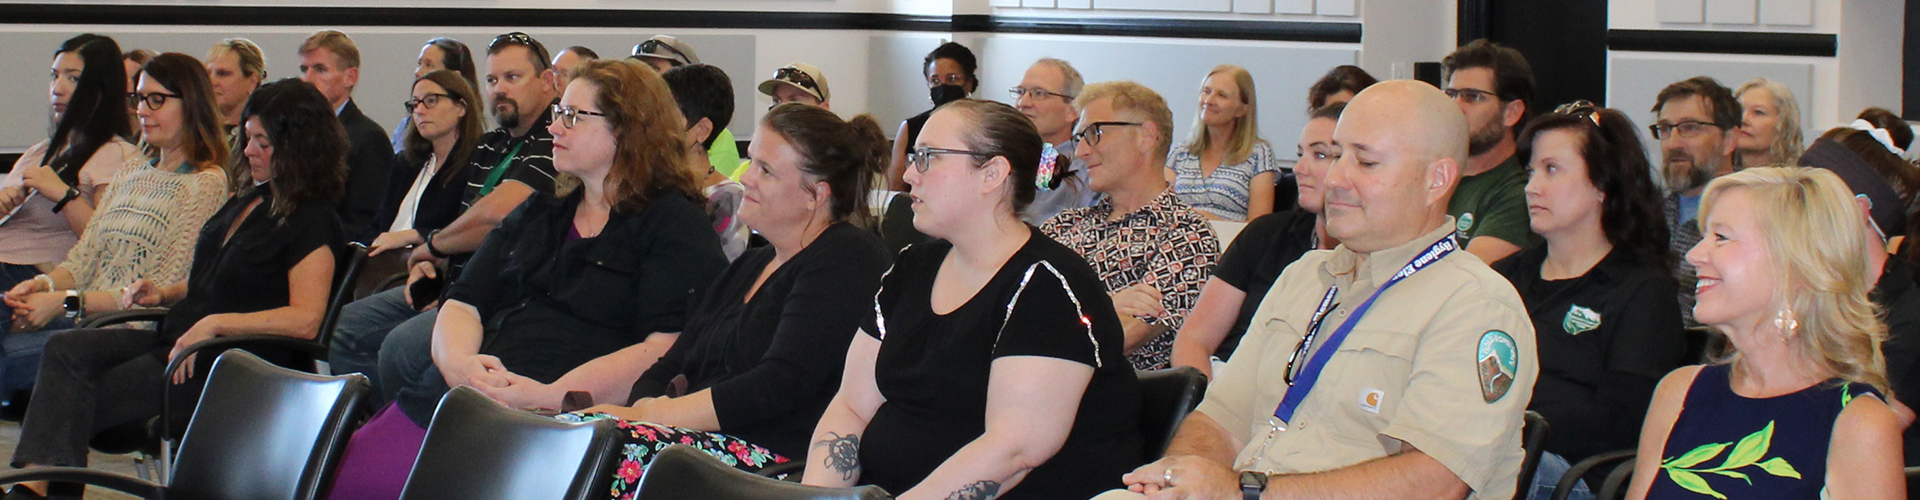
(1798, 407)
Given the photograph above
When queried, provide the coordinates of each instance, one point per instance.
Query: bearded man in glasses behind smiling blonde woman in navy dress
(1694, 122)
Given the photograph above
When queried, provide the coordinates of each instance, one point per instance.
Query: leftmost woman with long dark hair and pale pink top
(51, 193)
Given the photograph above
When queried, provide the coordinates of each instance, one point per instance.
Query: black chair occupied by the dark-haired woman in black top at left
(149, 439)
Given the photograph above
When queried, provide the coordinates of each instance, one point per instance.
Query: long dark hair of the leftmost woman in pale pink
(97, 112)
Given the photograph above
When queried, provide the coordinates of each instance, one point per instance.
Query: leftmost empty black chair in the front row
(262, 432)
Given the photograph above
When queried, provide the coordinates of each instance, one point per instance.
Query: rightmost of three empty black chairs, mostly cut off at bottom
(686, 474)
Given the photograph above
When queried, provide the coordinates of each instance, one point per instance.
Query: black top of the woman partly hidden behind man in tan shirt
(1257, 259)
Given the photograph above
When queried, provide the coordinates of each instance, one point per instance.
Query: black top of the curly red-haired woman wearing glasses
(550, 303)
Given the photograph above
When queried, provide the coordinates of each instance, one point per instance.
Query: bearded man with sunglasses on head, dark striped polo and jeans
(506, 168)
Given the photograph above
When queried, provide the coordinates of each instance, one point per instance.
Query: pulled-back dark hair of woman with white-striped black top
(999, 130)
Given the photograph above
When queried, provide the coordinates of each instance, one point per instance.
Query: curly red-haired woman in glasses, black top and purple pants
(579, 293)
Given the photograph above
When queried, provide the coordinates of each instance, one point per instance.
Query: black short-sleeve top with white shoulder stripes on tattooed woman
(934, 370)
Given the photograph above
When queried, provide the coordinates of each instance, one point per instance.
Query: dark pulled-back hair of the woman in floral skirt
(846, 155)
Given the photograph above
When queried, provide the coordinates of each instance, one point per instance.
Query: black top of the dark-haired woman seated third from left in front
(249, 272)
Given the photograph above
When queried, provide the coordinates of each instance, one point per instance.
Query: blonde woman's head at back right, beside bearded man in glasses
(1769, 126)
